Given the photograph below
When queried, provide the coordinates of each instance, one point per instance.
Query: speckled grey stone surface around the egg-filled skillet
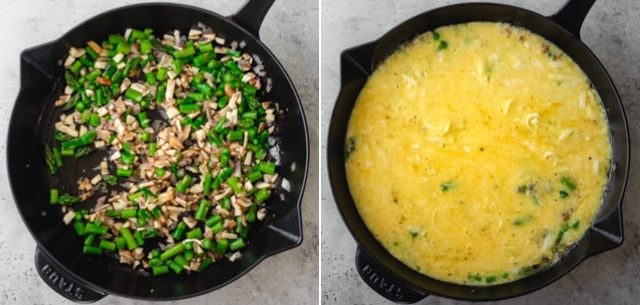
(610, 30)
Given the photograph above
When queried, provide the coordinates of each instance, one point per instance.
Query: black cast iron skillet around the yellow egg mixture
(391, 278)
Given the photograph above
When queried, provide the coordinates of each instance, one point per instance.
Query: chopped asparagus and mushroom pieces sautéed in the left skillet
(187, 136)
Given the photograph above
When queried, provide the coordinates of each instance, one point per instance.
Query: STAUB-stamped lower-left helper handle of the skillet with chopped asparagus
(62, 282)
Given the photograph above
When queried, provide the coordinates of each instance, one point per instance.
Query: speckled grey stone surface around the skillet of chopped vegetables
(291, 32)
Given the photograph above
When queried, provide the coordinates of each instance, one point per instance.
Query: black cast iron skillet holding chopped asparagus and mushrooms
(59, 258)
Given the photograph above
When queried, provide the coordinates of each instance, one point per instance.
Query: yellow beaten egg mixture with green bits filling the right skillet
(478, 153)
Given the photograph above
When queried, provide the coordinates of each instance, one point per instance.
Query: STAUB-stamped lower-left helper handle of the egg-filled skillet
(383, 282)
